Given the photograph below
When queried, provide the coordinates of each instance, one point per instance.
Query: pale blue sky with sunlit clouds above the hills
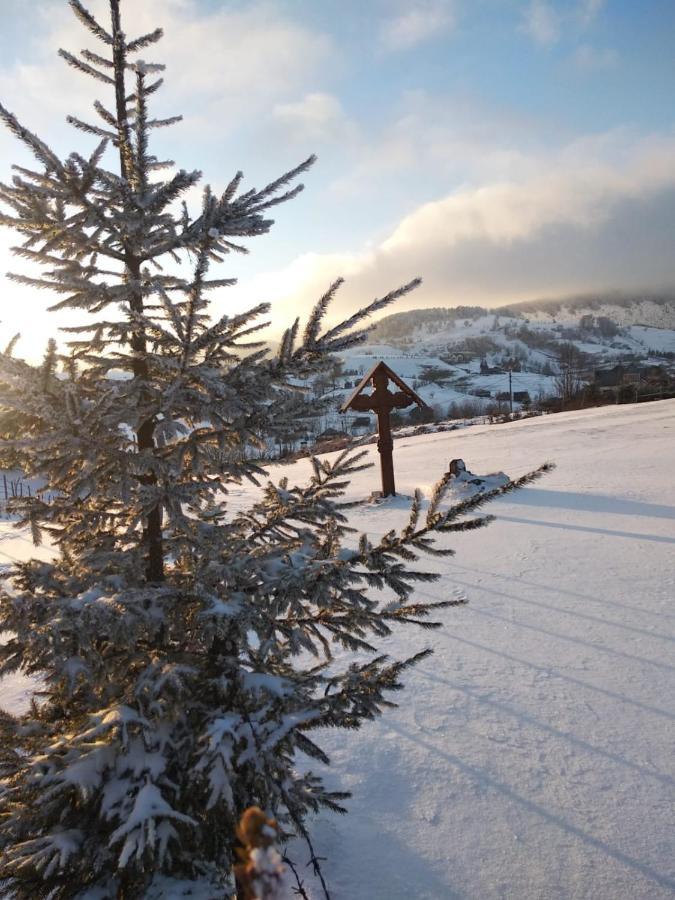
(501, 149)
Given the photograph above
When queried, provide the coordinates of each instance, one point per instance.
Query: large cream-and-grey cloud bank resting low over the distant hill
(592, 216)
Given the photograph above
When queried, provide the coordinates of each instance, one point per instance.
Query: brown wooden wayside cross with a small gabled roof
(381, 401)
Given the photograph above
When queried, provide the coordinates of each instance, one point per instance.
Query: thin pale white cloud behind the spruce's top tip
(228, 63)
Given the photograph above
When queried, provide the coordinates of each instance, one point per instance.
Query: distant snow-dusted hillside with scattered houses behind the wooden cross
(463, 357)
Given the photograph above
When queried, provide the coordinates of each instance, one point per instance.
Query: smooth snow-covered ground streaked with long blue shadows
(533, 756)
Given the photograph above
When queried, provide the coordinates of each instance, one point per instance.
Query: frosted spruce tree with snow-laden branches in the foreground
(184, 651)
